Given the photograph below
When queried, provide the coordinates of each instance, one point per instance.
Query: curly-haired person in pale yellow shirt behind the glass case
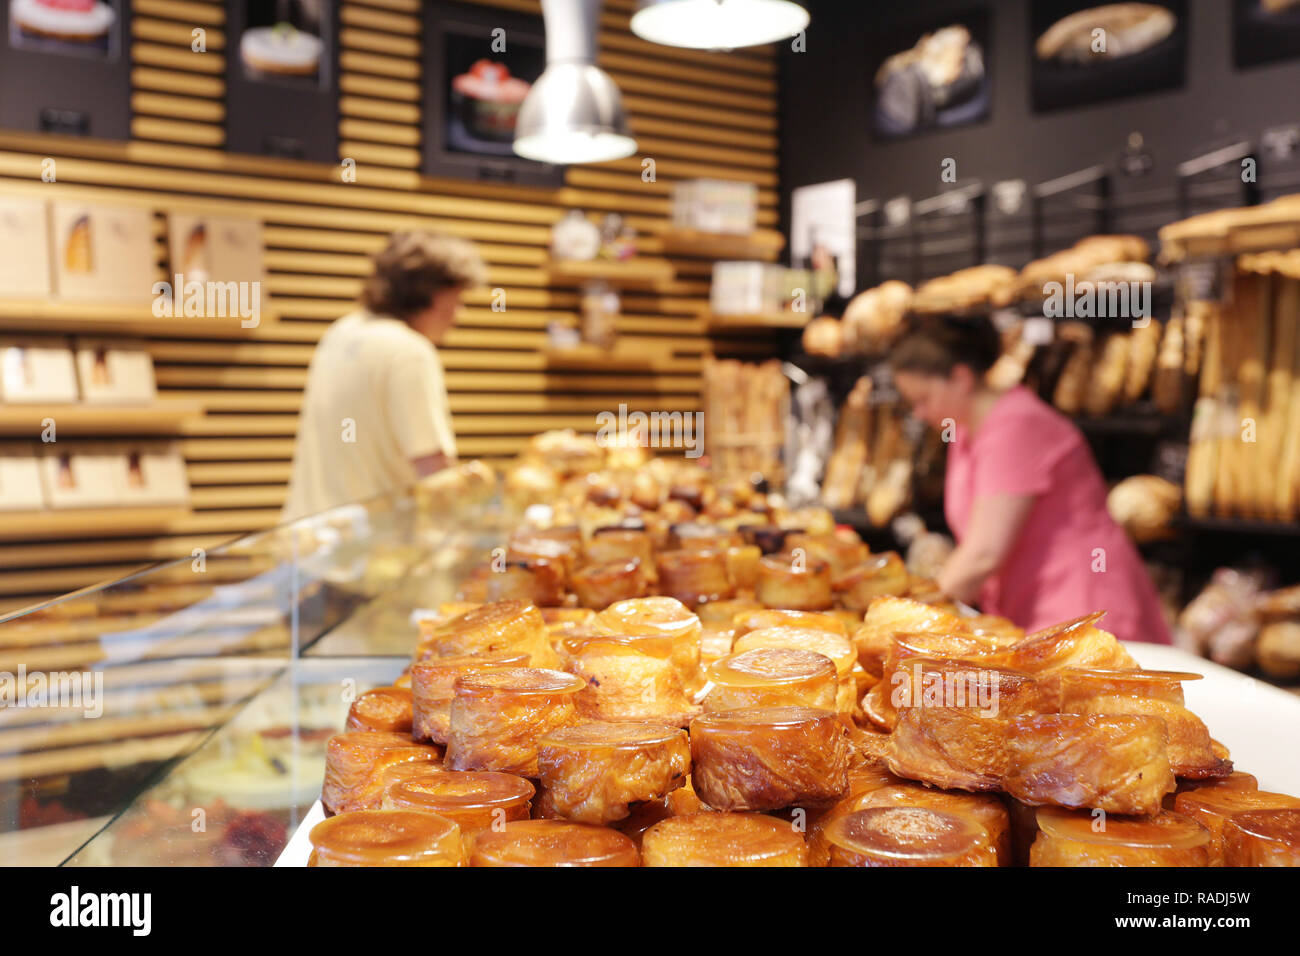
(375, 413)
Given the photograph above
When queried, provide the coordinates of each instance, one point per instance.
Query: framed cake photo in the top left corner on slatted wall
(64, 67)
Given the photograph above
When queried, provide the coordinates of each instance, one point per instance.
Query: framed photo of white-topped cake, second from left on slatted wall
(283, 79)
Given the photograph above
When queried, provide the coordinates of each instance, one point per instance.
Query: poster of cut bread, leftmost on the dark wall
(931, 75)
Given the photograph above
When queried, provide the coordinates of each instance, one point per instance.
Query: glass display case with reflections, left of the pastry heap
(179, 717)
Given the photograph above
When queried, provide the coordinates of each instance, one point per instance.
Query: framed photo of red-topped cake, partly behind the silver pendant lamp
(479, 66)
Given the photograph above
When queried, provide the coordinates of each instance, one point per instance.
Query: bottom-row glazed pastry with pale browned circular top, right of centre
(907, 837)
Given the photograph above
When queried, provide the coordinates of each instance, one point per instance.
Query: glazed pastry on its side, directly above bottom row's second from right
(1116, 764)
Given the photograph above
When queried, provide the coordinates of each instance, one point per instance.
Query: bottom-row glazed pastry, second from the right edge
(1078, 838)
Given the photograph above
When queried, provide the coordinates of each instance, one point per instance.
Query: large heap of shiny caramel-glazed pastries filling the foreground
(725, 698)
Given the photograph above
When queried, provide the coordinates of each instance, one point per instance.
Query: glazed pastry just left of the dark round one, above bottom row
(595, 772)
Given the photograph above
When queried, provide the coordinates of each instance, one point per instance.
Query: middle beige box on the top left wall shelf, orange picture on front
(103, 252)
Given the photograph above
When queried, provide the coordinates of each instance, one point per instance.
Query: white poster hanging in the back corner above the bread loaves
(824, 232)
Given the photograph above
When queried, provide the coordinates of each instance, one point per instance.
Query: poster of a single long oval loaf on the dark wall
(1082, 53)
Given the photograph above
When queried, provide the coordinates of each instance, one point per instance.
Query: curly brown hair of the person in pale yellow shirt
(414, 266)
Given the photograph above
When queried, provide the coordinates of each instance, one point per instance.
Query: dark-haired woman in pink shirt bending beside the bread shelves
(1024, 495)
